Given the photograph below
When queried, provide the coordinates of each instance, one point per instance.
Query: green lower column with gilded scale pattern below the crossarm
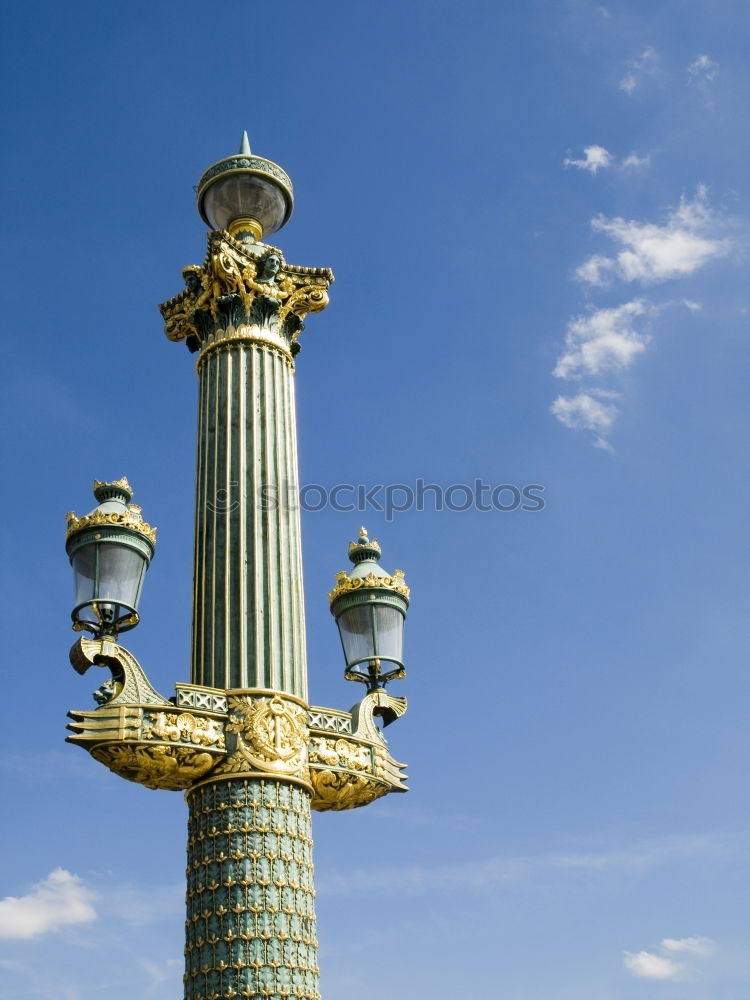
(250, 929)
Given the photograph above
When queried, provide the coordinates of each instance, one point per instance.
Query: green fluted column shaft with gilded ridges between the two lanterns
(248, 611)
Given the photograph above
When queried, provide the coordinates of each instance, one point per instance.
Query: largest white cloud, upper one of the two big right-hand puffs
(689, 239)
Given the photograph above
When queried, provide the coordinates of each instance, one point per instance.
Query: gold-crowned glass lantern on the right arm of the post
(370, 607)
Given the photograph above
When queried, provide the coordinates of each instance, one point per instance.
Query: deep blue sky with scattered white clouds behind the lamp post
(537, 216)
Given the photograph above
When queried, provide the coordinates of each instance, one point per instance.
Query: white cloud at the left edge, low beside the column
(57, 901)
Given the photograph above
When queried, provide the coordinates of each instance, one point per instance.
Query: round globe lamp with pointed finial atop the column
(249, 196)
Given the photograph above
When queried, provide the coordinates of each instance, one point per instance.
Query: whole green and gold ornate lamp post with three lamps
(240, 739)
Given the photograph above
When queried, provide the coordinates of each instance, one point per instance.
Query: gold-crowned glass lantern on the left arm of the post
(110, 550)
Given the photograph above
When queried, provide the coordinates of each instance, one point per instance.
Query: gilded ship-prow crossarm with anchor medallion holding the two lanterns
(341, 758)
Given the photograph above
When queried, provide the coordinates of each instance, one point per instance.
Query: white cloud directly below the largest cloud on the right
(605, 340)
